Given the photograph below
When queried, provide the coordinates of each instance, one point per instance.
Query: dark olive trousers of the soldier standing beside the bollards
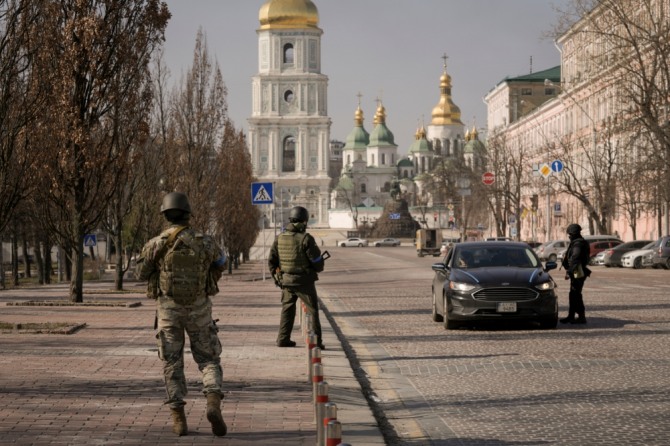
(290, 295)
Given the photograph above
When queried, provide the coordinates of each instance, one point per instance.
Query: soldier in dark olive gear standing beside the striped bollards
(295, 261)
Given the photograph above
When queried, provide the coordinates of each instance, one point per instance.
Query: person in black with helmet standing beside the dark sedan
(576, 262)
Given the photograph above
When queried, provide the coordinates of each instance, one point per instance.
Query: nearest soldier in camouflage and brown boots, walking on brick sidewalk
(182, 267)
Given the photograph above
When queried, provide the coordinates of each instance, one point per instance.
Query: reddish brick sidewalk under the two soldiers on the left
(103, 384)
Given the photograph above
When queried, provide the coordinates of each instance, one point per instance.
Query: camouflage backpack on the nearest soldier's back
(183, 275)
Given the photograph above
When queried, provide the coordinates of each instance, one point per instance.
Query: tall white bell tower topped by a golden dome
(289, 128)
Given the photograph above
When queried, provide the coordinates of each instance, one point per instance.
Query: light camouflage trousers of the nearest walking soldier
(174, 322)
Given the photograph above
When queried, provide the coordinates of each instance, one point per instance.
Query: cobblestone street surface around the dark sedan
(607, 382)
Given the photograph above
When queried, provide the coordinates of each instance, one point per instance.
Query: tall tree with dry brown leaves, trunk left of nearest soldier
(95, 57)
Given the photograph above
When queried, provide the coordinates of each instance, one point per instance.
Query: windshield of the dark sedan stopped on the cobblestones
(495, 256)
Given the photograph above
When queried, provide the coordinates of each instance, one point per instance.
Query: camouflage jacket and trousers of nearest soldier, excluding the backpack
(195, 318)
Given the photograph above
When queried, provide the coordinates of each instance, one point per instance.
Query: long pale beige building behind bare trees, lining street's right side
(582, 116)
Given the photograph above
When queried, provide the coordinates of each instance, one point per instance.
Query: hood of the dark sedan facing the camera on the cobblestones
(500, 276)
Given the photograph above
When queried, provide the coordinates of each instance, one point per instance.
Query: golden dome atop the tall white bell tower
(288, 14)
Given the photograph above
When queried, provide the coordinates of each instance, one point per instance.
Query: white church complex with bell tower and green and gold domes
(289, 130)
